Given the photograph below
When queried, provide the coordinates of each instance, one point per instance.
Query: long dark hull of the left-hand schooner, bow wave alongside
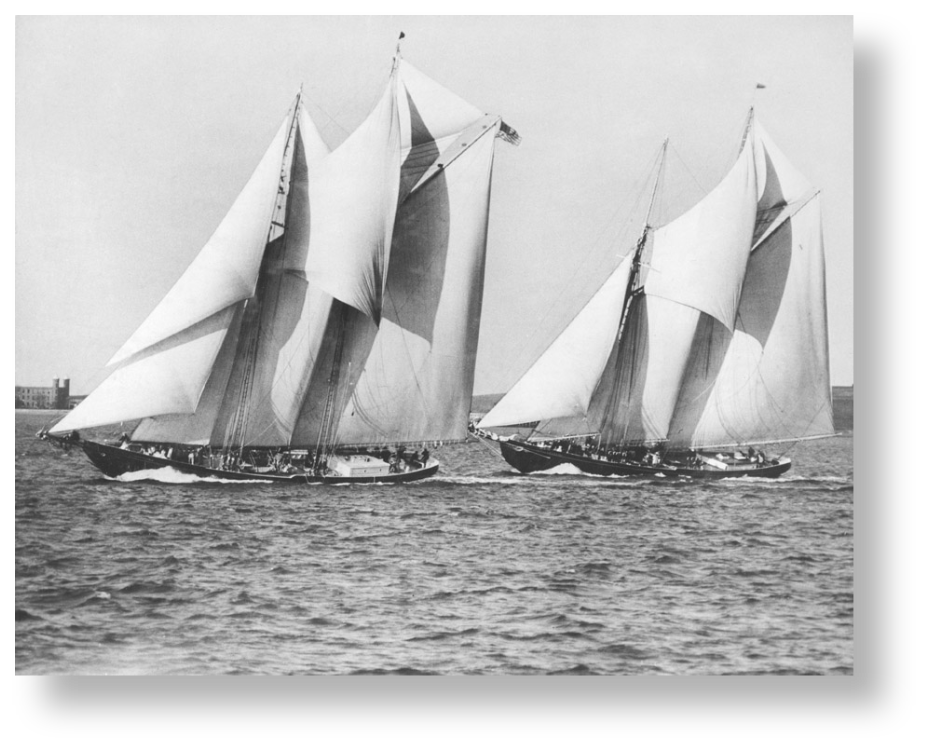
(113, 462)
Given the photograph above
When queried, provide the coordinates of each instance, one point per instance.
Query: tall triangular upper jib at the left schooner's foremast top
(226, 269)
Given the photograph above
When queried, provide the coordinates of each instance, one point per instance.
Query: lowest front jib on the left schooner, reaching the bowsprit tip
(168, 377)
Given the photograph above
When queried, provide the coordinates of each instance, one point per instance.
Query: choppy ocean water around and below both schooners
(479, 571)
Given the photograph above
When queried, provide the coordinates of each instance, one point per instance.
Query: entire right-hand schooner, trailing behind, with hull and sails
(690, 363)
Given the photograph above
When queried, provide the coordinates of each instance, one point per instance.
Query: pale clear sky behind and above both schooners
(134, 135)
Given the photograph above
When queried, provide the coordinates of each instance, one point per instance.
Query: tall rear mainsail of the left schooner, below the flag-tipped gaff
(417, 381)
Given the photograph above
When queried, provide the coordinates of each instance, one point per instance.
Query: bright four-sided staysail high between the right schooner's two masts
(699, 259)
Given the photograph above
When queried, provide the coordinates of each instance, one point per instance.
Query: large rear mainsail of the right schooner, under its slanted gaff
(769, 379)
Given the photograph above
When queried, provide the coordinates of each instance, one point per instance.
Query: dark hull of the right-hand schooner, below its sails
(527, 457)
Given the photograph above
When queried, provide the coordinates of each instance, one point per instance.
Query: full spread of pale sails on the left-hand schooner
(339, 301)
